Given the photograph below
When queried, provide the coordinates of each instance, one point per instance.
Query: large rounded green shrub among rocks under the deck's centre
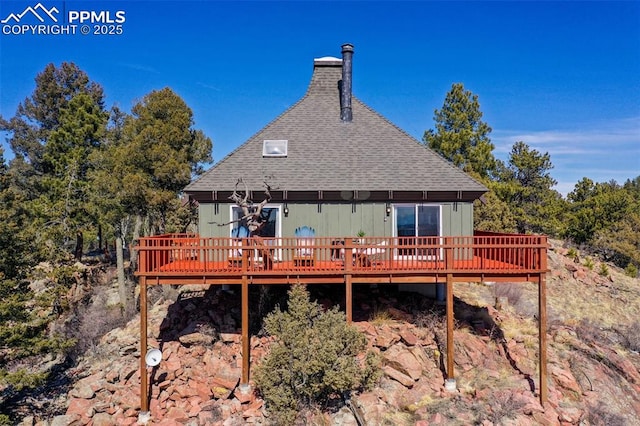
(315, 358)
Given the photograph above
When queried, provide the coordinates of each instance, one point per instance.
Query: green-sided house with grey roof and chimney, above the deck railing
(336, 165)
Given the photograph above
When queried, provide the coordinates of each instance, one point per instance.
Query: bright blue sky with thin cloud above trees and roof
(564, 77)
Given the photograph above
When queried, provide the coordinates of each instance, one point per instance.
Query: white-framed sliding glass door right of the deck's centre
(417, 220)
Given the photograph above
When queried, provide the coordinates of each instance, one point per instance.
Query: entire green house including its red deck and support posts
(334, 165)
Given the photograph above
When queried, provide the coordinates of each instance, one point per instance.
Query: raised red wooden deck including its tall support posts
(483, 257)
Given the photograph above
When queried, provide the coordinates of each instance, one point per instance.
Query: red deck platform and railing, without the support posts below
(491, 253)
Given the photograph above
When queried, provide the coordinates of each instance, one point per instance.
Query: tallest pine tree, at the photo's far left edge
(51, 135)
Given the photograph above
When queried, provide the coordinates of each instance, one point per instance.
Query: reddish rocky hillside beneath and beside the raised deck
(593, 363)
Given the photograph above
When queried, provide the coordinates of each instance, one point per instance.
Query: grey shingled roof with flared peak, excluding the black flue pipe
(330, 158)
